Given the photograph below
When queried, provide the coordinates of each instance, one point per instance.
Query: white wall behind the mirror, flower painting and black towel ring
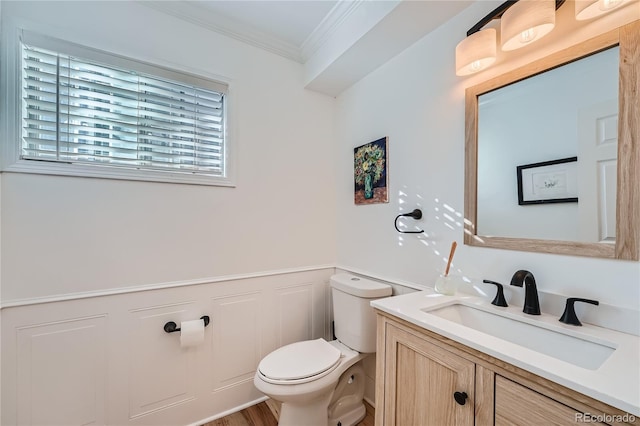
(418, 102)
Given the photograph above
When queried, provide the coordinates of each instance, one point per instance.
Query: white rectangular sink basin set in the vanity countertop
(544, 338)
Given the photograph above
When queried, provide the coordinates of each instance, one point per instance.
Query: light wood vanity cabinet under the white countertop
(425, 379)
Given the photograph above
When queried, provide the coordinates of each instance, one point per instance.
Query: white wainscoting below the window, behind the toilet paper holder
(106, 360)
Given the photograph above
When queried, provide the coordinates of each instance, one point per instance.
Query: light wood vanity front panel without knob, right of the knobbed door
(519, 405)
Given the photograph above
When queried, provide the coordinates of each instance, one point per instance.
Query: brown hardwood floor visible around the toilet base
(266, 414)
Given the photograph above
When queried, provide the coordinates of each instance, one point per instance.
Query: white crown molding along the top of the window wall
(189, 11)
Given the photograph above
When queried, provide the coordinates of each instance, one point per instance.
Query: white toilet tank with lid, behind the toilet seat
(354, 319)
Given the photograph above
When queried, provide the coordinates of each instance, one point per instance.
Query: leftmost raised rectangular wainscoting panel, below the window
(61, 372)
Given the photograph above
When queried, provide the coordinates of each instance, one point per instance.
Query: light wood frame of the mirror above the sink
(627, 244)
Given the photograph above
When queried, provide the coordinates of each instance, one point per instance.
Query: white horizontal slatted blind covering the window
(77, 110)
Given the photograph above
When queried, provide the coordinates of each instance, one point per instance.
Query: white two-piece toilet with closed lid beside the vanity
(321, 383)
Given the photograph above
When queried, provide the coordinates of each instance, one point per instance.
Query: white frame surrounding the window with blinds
(11, 85)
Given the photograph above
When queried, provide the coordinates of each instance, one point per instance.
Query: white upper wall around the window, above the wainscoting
(63, 235)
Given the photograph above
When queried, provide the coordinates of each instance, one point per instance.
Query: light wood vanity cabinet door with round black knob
(420, 380)
